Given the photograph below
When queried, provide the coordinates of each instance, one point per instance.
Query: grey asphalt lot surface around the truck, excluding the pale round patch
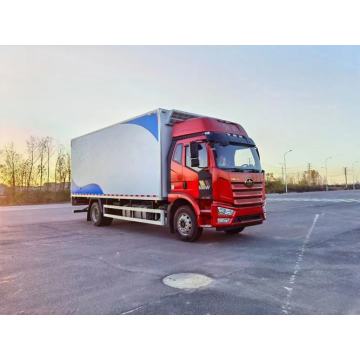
(305, 259)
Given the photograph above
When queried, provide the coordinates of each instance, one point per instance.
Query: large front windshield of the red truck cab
(237, 157)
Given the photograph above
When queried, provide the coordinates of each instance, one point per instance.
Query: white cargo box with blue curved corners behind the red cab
(125, 159)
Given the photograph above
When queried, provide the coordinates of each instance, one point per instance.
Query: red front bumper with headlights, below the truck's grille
(241, 217)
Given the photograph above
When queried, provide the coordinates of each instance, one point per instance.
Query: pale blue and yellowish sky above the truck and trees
(304, 98)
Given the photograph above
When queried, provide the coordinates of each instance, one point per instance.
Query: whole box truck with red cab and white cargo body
(169, 167)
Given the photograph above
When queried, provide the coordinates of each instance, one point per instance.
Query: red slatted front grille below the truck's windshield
(247, 196)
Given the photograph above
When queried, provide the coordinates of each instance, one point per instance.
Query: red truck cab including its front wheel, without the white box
(216, 179)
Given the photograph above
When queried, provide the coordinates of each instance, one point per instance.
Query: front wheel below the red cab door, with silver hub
(185, 224)
